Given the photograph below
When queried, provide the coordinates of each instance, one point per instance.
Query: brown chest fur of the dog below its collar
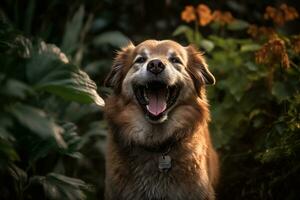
(136, 175)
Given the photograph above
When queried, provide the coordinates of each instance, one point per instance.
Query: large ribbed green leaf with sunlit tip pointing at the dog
(48, 73)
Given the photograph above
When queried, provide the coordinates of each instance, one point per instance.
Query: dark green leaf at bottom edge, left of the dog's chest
(57, 186)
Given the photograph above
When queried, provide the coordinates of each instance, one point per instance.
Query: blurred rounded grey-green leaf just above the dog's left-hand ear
(113, 38)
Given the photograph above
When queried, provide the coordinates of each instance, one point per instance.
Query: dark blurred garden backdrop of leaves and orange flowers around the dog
(54, 56)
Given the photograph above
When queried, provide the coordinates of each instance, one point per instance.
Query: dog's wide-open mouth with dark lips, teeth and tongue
(156, 98)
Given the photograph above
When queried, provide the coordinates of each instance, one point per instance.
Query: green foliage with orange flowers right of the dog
(255, 104)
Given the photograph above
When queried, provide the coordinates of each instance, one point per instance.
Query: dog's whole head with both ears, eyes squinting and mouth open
(158, 75)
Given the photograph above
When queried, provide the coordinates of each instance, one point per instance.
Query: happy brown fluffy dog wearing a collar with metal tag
(158, 146)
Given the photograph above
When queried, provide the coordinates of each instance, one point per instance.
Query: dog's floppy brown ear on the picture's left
(116, 75)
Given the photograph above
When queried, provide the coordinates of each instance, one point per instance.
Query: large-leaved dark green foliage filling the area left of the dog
(35, 78)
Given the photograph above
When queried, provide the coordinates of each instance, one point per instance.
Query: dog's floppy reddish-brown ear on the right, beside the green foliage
(197, 69)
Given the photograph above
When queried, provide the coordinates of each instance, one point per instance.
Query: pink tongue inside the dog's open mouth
(157, 102)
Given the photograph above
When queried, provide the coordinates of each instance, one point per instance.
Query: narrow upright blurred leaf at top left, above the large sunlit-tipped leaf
(72, 32)
